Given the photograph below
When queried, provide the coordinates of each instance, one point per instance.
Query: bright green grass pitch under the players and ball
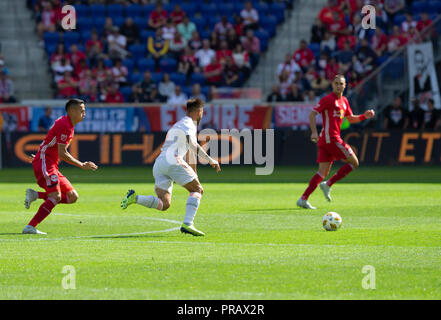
(258, 245)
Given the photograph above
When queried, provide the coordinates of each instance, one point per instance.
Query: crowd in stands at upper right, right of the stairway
(339, 44)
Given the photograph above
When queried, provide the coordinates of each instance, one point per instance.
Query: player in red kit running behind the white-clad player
(45, 163)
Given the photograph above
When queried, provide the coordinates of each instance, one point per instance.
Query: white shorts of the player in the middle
(166, 173)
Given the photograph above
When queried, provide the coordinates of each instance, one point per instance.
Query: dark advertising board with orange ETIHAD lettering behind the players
(290, 148)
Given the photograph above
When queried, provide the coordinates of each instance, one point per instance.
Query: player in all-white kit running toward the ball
(180, 142)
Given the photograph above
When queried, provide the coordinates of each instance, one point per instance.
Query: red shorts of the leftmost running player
(50, 179)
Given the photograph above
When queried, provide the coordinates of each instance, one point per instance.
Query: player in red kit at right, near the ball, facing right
(333, 108)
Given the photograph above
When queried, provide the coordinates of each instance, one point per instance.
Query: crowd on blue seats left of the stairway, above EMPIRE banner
(144, 51)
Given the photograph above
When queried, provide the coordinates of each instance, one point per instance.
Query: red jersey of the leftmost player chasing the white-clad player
(61, 132)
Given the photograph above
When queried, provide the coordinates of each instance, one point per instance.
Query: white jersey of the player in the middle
(176, 144)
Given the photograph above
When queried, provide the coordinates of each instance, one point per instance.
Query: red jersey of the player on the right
(333, 111)
